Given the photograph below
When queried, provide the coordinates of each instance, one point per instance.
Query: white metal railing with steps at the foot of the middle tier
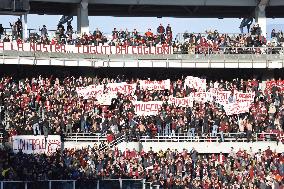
(183, 137)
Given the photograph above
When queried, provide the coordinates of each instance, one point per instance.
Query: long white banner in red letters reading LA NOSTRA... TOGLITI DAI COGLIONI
(86, 49)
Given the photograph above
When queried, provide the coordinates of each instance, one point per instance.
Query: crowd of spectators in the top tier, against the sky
(210, 42)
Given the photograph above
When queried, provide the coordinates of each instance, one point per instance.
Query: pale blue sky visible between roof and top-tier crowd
(179, 25)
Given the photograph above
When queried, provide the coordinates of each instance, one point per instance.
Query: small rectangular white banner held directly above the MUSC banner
(155, 85)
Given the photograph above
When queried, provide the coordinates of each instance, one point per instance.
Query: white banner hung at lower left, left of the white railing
(31, 144)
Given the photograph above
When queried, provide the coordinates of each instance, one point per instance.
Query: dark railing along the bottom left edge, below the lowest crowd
(79, 184)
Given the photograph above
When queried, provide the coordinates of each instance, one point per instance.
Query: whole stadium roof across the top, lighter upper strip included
(160, 8)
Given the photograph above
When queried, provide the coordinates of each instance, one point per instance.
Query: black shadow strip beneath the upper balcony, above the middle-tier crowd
(22, 71)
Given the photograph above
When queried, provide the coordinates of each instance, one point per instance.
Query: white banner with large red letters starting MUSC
(147, 108)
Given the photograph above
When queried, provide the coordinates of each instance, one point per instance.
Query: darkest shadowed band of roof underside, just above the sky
(157, 10)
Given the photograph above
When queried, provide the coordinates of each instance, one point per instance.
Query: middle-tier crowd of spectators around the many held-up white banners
(45, 106)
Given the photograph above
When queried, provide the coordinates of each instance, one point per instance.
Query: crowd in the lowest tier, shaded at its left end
(170, 169)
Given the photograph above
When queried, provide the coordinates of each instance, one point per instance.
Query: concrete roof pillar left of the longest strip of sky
(82, 17)
